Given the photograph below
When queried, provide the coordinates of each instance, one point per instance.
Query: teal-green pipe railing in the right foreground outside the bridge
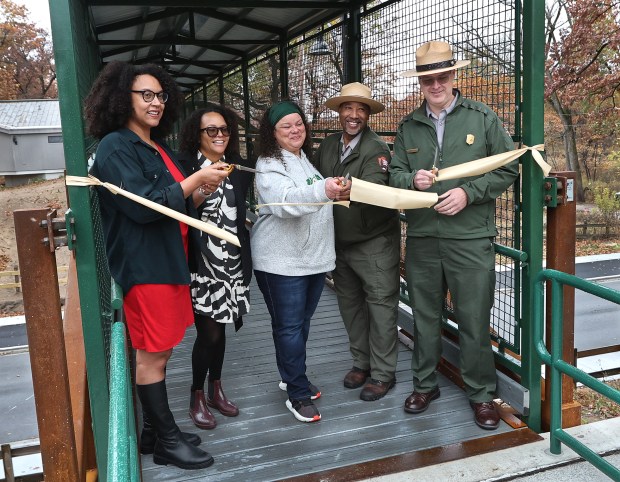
(559, 366)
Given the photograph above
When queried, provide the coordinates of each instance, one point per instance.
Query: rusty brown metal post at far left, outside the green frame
(47, 348)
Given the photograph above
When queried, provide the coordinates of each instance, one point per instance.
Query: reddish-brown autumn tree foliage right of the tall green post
(582, 84)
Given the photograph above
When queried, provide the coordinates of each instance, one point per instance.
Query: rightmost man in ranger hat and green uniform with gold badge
(450, 245)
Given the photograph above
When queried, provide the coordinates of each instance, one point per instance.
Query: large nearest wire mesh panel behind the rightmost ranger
(484, 34)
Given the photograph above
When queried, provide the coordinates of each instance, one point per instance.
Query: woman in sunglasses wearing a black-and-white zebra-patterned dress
(220, 285)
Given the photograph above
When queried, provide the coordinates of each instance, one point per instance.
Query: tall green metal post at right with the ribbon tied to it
(533, 123)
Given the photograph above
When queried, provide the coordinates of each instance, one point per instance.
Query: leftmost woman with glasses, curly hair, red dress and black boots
(130, 109)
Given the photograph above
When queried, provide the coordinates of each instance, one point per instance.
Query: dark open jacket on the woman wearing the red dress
(142, 245)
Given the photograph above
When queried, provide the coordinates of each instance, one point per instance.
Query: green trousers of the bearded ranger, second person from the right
(366, 280)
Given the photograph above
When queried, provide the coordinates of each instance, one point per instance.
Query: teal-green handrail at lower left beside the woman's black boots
(122, 453)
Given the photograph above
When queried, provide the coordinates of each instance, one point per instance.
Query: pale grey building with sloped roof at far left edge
(30, 141)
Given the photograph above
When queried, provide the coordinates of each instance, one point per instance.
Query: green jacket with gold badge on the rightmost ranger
(472, 131)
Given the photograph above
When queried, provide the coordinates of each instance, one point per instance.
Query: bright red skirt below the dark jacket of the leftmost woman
(157, 315)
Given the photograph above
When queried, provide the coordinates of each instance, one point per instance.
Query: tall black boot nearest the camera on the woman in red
(171, 447)
